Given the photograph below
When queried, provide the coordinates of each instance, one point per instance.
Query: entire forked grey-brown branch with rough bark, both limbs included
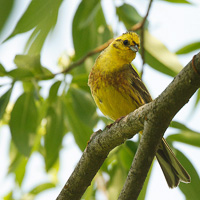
(154, 117)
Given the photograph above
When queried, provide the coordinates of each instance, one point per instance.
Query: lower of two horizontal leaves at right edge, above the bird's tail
(186, 137)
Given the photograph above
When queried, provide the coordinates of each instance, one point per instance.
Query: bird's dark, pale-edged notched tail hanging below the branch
(173, 170)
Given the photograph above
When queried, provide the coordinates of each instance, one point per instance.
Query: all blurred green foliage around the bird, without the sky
(39, 124)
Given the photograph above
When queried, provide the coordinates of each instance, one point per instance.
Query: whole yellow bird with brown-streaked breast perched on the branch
(118, 90)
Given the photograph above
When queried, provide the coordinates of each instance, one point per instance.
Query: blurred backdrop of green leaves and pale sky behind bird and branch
(47, 118)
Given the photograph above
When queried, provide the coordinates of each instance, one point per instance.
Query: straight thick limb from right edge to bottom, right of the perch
(163, 109)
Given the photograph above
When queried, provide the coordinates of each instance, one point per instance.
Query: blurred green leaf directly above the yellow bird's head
(128, 15)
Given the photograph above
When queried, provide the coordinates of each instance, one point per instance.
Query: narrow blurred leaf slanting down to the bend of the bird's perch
(80, 130)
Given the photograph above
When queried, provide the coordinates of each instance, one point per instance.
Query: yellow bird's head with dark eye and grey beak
(126, 46)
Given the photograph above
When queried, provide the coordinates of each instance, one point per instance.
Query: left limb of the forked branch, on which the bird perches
(100, 144)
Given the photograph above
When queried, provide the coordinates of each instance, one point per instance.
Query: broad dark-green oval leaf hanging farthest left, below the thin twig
(23, 122)
